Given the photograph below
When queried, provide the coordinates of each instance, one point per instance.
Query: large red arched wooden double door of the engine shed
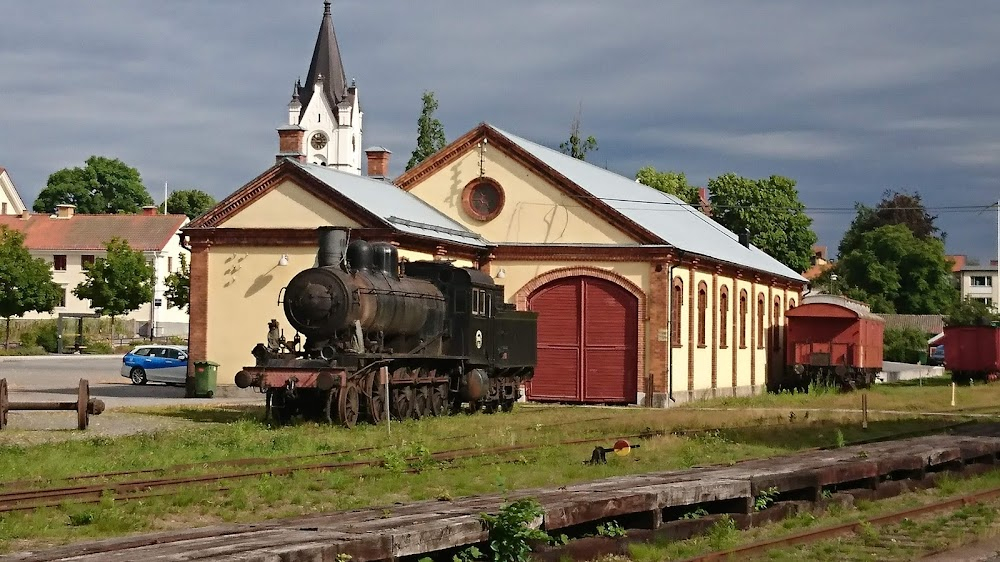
(587, 342)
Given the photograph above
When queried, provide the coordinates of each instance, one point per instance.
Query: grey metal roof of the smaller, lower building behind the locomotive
(399, 209)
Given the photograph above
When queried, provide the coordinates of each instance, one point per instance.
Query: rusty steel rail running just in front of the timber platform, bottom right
(837, 530)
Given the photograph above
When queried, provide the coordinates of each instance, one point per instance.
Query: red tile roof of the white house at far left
(90, 232)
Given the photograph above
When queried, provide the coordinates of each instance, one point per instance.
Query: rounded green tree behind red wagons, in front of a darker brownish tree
(896, 272)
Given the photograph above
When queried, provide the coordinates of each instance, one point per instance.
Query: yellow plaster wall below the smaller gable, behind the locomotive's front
(243, 288)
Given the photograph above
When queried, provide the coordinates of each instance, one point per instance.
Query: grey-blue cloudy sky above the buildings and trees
(849, 98)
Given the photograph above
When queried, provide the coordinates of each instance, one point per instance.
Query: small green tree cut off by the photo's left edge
(25, 282)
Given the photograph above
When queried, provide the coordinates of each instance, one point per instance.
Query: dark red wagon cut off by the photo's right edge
(972, 352)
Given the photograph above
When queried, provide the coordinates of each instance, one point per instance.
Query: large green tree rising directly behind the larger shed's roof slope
(769, 208)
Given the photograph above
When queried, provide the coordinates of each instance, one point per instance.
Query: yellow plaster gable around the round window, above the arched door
(534, 211)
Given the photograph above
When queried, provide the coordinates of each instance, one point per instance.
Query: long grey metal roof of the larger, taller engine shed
(666, 216)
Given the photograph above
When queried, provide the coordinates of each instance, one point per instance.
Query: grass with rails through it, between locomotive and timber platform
(689, 436)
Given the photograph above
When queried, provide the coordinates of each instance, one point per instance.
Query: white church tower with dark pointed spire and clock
(324, 116)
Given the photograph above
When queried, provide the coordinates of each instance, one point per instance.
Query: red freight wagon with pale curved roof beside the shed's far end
(832, 340)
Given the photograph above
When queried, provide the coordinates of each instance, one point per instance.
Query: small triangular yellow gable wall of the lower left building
(288, 206)
